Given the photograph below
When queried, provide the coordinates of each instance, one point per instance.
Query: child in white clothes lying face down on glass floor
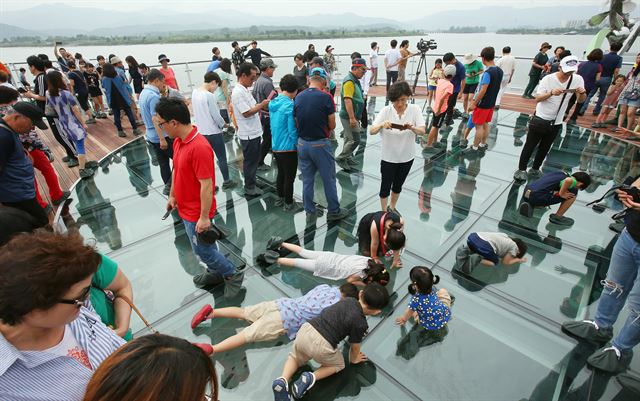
(356, 269)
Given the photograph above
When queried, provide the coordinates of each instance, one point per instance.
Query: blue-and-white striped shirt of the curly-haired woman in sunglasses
(40, 375)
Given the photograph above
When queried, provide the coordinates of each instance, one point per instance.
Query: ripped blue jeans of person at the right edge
(621, 285)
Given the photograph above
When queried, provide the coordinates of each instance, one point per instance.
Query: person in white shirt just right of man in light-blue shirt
(210, 123)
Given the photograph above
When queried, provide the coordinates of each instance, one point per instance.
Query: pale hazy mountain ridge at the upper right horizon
(499, 17)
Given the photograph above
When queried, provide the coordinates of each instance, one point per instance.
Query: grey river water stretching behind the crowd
(524, 46)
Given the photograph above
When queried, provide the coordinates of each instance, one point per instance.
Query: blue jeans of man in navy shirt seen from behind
(316, 156)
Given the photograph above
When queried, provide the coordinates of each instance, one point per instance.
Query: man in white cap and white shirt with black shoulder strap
(552, 98)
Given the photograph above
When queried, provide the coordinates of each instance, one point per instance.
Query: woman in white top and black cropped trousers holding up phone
(398, 125)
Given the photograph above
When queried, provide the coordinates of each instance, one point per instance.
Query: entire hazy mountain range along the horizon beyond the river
(96, 21)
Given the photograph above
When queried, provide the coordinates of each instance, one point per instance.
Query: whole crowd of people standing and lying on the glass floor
(74, 322)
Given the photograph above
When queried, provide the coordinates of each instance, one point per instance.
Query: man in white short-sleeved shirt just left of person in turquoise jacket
(249, 126)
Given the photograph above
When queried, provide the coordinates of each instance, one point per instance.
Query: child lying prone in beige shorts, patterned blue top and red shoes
(271, 319)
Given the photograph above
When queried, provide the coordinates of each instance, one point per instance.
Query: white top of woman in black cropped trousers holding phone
(399, 146)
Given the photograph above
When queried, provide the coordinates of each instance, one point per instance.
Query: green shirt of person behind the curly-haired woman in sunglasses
(101, 303)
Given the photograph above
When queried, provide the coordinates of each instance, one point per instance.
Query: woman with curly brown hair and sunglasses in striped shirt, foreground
(50, 342)
